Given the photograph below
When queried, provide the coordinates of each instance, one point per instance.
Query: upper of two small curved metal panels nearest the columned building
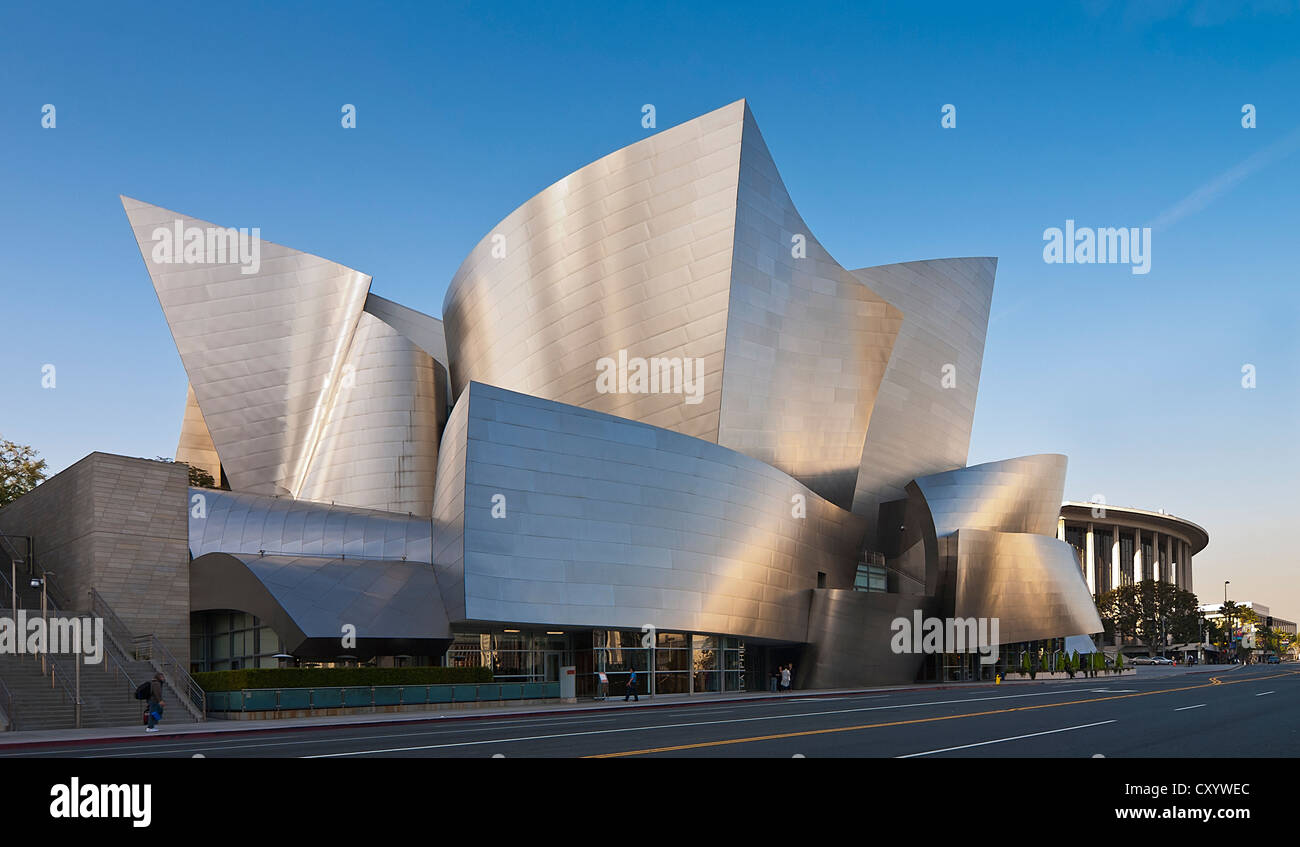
(1015, 496)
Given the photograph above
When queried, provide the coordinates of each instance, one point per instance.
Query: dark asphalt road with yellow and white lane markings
(1236, 713)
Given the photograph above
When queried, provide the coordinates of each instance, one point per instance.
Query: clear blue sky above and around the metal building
(1108, 114)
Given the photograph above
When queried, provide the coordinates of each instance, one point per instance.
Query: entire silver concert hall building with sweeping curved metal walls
(658, 427)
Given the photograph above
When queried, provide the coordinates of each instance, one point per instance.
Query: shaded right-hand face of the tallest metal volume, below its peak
(808, 342)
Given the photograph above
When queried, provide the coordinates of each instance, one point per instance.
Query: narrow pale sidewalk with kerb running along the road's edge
(211, 728)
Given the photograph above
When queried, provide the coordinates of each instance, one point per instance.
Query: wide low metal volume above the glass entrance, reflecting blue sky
(582, 519)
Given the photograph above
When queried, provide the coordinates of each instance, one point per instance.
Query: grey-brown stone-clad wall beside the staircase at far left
(119, 525)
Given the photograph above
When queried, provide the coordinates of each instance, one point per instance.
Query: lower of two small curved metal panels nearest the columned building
(1030, 583)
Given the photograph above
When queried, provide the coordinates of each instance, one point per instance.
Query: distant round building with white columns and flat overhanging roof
(1119, 546)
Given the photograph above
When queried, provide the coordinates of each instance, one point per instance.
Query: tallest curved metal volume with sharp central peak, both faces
(683, 255)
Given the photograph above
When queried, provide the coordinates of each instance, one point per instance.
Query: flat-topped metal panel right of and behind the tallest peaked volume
(922, 419)
